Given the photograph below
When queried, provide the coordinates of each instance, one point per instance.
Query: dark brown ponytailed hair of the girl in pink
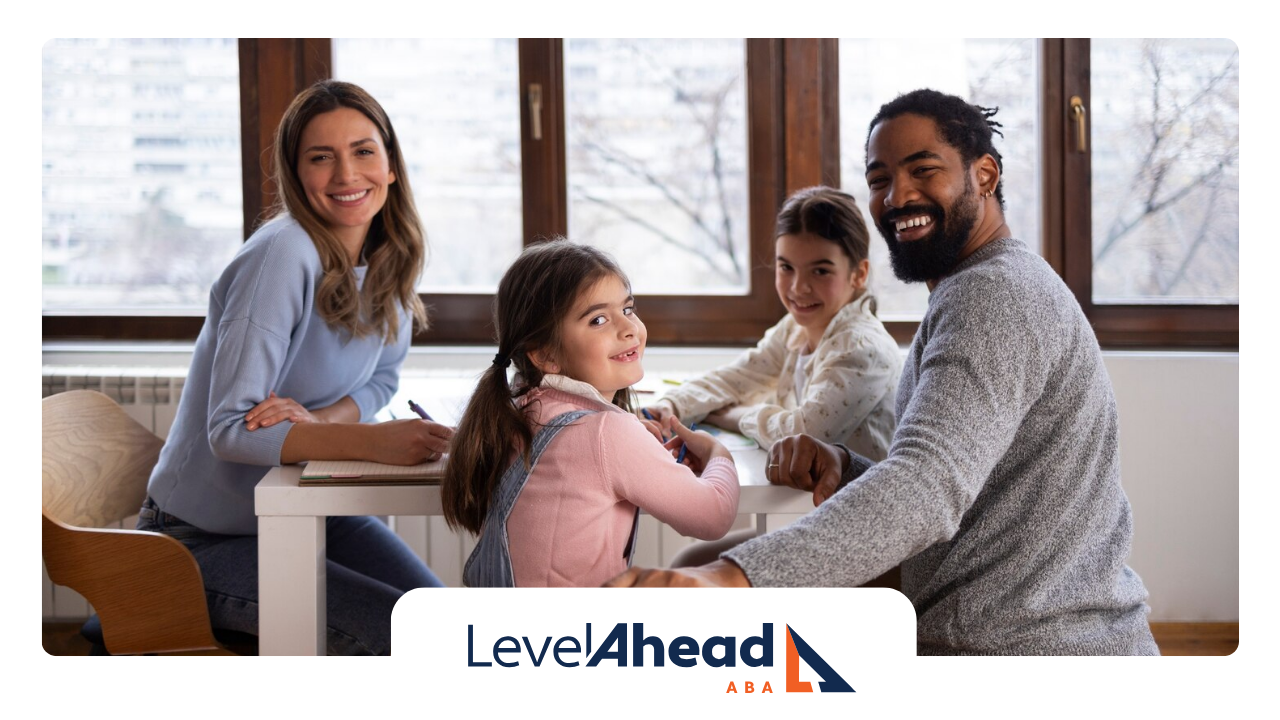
(536, 294)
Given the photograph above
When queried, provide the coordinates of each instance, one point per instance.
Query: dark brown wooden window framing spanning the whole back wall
(793, 143)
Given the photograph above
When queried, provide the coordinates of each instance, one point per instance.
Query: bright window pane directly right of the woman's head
(456, 110)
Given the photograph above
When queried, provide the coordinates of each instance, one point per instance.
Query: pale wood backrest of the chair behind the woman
(97, 459)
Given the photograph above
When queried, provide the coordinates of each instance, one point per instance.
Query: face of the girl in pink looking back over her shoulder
(602, 341)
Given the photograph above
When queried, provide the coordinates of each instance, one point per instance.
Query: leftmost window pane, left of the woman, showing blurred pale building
(141, 184)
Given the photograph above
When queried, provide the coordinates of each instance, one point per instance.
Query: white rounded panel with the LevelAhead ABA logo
(753, 646)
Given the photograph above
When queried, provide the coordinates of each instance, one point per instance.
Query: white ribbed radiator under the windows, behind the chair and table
(150, 397)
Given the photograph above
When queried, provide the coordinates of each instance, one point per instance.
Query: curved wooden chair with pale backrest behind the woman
(145, 587)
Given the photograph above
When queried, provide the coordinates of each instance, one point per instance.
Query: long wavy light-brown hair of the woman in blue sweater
(396, 247)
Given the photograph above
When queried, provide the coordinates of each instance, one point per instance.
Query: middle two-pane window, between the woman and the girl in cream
(657, 152)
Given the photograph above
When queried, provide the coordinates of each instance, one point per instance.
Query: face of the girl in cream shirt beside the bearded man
(815, 280)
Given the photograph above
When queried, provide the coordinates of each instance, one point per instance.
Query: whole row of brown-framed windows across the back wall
(673, 154)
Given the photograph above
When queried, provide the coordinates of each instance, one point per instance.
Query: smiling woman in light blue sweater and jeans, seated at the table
(303, 345)
